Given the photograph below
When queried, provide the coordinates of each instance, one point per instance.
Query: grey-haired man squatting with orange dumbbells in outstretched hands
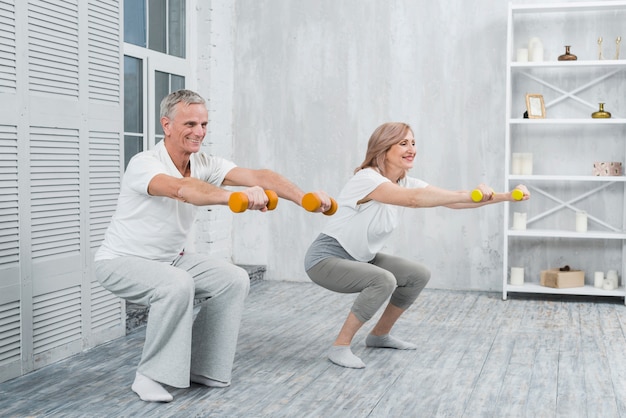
(142, 258)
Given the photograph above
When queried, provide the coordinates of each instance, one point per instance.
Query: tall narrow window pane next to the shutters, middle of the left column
(133, 95)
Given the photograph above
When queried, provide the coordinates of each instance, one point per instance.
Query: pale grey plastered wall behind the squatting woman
(313, 79)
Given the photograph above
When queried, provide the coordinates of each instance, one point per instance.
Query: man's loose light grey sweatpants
(175, 344)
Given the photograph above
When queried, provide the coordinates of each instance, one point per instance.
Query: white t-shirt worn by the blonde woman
(363, 229)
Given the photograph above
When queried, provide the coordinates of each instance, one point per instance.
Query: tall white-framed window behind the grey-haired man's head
(155, 64)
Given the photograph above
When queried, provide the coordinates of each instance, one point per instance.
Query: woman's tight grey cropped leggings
(384, 277)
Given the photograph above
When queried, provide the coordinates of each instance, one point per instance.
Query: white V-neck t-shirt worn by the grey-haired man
(155, 227)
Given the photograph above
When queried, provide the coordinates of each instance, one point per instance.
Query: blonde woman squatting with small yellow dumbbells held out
(346, 256)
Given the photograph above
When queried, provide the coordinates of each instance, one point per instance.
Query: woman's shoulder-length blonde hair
(383, 138)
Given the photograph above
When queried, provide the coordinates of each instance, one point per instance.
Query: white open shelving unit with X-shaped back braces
(565, 144)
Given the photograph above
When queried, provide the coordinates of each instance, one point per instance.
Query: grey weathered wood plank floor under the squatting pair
(478, 356)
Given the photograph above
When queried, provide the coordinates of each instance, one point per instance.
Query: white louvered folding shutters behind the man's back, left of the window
(61, 123)
